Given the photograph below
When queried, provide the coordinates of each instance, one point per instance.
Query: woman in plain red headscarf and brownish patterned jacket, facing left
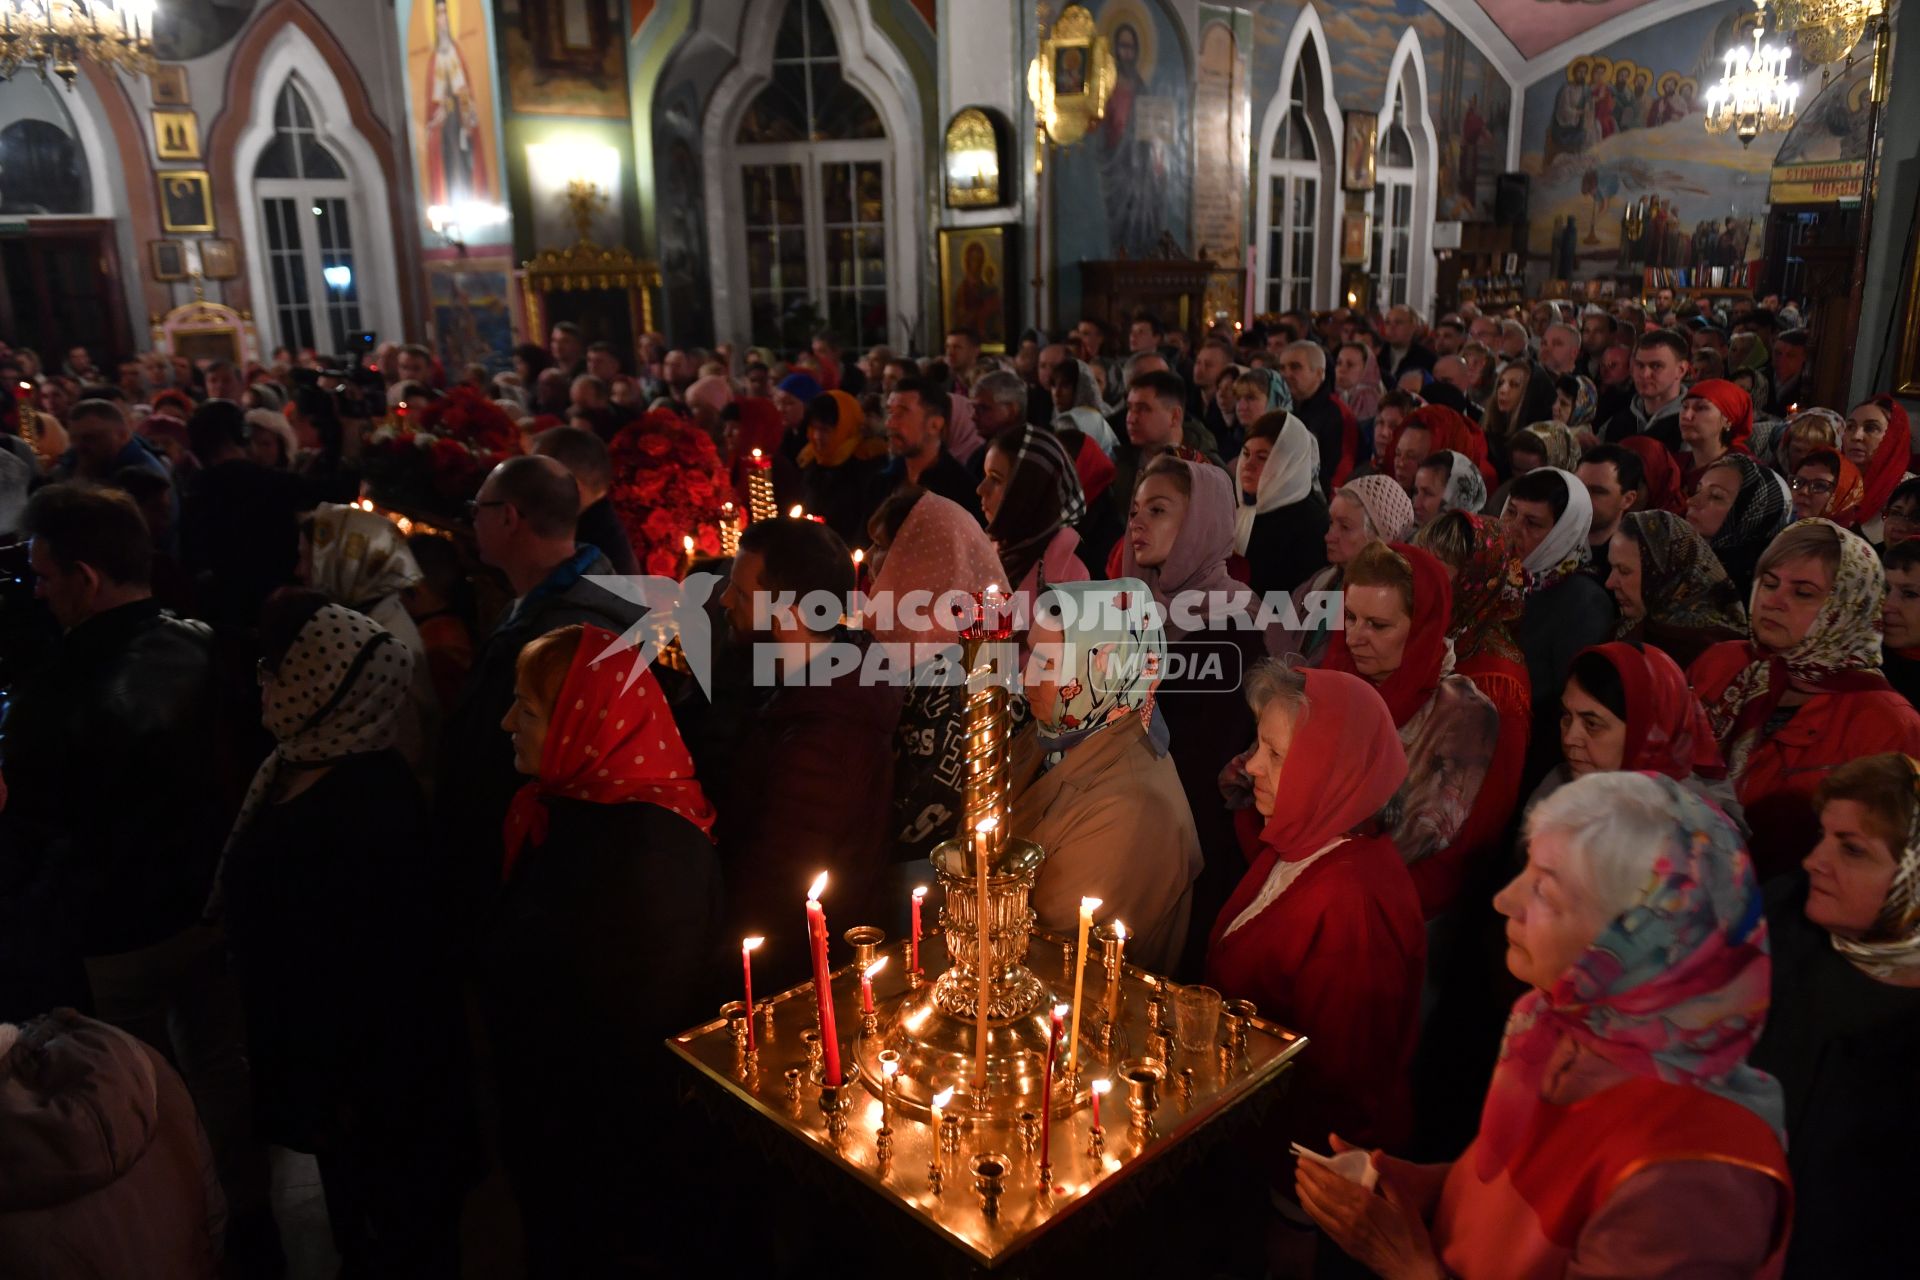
(1399, 607)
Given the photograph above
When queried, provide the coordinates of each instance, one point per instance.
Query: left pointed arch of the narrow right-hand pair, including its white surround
(1299, 189)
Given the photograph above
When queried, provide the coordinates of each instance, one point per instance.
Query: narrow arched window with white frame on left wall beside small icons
(306, 208)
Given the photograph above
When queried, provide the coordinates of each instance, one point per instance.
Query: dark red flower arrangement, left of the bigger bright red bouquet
(435, 456)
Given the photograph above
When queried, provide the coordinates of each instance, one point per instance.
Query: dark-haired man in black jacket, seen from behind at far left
(112, 826)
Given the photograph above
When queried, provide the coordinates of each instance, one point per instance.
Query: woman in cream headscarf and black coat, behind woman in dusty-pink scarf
(1282, 521)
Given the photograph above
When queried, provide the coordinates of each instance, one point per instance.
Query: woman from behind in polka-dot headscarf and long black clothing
(335, 909)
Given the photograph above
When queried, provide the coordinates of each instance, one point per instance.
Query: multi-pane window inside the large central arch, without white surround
(811, 166)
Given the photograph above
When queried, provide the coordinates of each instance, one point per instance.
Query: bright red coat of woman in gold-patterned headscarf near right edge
(1783, 772)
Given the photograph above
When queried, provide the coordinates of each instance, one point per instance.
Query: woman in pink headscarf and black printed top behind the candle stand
(926, 544)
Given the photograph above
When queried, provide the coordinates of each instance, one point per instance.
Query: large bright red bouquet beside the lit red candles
(667, 485)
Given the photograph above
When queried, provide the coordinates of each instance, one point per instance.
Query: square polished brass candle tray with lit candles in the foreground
(1195, 1091)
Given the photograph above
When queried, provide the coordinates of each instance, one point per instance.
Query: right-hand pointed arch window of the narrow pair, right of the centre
(1406, 170)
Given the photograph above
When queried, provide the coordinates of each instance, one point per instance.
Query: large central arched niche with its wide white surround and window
(815, 179)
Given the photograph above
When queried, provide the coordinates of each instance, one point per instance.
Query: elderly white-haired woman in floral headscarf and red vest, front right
(1623, 1133)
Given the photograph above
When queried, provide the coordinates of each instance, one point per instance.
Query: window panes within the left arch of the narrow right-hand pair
(1295, 176)
